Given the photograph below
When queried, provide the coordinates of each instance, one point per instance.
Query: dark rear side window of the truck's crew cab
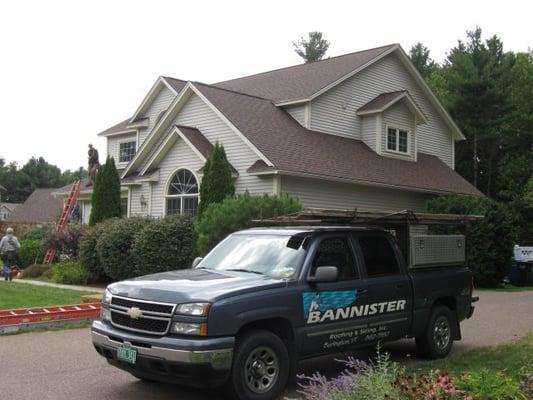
(379, 256)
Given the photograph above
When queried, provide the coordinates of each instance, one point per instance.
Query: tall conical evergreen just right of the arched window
(217, 182)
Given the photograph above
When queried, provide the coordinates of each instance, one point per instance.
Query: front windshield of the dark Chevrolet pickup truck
(271, 255)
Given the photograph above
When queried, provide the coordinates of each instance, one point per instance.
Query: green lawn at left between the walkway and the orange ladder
(21, 295)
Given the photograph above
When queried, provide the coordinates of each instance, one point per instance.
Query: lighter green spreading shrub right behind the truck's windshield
(221, 219)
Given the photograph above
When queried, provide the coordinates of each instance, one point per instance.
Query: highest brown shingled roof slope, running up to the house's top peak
(304, 80)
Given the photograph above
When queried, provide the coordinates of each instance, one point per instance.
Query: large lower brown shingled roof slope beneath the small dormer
(295, 149)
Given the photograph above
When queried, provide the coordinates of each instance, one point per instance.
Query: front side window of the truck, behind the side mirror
(335, 252)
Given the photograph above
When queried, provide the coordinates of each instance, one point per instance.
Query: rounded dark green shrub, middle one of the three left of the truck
(114, 246)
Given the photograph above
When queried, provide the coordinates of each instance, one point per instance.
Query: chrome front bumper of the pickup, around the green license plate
(167, 359)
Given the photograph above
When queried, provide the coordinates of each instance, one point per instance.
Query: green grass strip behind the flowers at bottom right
(508, 357)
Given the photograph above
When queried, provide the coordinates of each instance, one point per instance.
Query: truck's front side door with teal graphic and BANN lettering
(327, 324)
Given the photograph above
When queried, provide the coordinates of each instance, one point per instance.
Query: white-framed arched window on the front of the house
(182, 194)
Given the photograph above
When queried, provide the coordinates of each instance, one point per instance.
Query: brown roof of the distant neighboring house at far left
(40, 207)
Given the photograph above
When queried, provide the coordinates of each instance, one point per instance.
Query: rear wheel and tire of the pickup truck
(437, 340)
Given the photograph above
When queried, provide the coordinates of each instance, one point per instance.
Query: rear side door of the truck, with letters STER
(388, 290)
